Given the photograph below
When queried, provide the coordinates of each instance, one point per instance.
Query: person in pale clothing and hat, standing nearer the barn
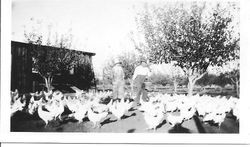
(118, 81)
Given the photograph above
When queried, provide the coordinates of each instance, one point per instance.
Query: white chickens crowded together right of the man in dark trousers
(210, 109)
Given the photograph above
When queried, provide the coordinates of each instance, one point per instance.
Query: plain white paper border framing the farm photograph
(155, 138)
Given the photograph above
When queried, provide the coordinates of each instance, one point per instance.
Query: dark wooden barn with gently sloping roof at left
(25, 79)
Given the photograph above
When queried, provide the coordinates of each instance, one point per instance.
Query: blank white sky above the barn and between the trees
(100, 26)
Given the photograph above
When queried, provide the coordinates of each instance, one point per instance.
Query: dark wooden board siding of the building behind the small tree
(25, 81)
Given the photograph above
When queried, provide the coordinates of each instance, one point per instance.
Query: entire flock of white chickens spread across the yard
(160, 107)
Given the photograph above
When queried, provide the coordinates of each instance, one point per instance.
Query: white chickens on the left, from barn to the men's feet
(51, 105)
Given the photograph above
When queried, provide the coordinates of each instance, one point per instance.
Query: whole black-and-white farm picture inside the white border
(124, 66)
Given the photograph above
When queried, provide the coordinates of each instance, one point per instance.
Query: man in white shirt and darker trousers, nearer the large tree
(141, 73)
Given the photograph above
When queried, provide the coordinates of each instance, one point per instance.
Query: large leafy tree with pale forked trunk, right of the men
(190, 35)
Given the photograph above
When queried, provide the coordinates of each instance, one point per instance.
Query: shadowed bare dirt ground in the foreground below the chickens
(132, 122)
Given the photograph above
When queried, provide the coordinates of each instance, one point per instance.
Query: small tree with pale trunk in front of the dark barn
(48, 62)
